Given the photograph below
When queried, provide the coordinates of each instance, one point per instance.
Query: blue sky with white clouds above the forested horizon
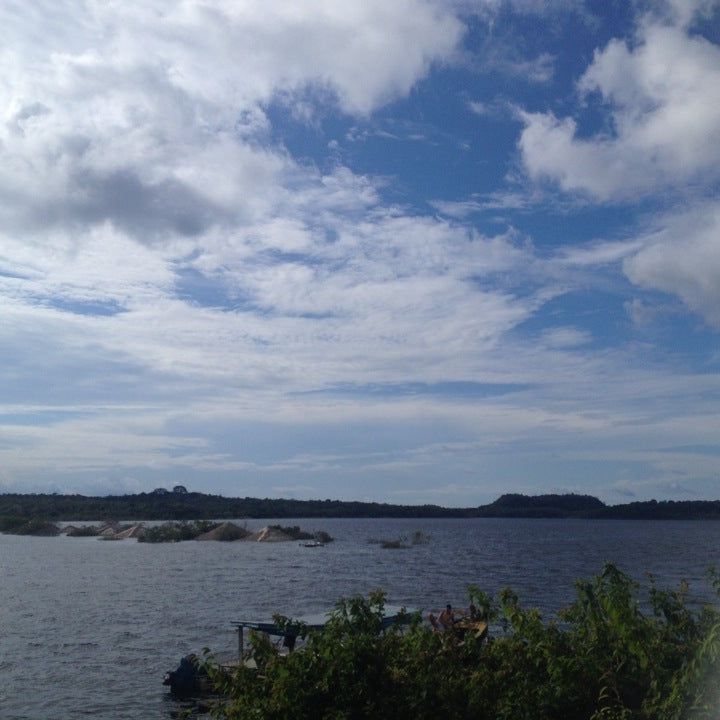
(420, 251)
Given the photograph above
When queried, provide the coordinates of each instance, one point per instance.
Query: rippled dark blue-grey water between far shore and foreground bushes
(88, 628)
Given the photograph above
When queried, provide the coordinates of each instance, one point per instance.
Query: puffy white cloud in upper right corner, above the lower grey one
(663, 92)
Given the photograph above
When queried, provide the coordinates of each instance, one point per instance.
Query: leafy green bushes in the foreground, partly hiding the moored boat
(603, 660)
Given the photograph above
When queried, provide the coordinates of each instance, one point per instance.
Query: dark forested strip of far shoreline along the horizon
(179, 504)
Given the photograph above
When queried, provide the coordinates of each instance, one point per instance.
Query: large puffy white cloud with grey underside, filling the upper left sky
(144, 115)
